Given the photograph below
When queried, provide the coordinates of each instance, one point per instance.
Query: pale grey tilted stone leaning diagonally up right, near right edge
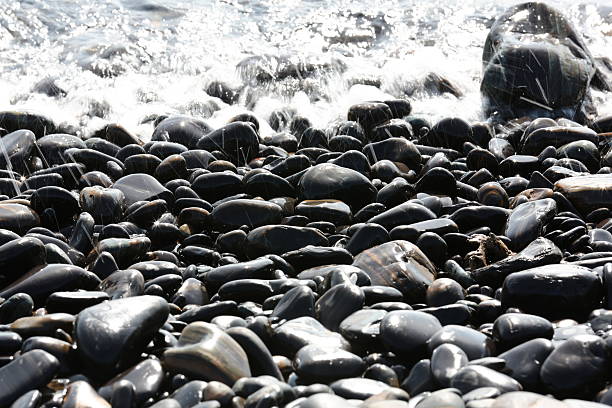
(527, 221)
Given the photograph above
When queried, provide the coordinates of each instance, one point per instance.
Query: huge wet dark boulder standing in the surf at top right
(536, 64)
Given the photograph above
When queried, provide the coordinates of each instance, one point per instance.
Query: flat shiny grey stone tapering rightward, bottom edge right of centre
(472, 377)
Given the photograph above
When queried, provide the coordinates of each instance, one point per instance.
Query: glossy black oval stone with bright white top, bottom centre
(324, 364)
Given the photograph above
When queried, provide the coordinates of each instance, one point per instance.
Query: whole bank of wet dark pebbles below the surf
(384, 262)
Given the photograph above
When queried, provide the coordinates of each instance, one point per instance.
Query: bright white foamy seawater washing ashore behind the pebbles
(126, 61)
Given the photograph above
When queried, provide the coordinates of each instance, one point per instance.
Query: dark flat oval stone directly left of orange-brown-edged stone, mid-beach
(252, 213)
